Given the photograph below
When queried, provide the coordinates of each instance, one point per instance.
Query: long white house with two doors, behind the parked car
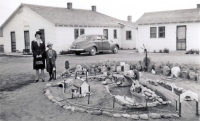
(61, 26)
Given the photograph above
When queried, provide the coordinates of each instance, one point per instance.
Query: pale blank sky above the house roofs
(119, 9)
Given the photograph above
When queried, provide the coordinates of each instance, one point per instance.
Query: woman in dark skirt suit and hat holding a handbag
(38, 49)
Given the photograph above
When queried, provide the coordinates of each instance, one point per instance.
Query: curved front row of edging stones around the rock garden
(95, 111)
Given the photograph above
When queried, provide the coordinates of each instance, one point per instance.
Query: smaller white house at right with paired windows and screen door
(175, 30)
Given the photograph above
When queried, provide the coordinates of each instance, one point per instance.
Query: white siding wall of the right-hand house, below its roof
(192, 37)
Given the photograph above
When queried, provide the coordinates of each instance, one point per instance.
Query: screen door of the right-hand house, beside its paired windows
(181, 38)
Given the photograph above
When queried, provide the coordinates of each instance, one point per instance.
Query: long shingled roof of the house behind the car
(74, 17)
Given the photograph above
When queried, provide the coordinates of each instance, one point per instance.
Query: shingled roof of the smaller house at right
(173, 16)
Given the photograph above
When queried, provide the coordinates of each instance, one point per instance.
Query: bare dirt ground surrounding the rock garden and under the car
(22, 100)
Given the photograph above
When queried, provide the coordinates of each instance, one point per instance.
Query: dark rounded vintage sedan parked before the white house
(93, 44)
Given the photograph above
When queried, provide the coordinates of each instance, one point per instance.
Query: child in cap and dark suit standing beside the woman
(51, 57)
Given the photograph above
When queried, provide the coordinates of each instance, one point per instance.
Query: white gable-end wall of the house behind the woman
(26, 20)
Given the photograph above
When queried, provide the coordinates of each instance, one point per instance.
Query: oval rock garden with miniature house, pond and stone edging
(122, 88)
